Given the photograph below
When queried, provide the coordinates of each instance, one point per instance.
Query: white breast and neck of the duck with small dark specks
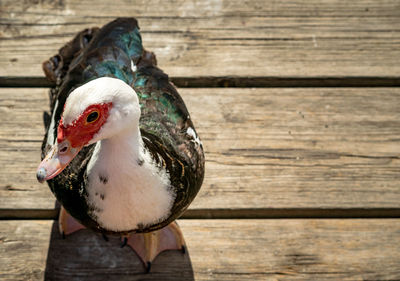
(126, 188)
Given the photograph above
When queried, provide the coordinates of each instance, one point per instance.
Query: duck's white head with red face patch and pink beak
(99, 109)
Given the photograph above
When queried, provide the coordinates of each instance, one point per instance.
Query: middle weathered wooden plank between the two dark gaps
(265, 149)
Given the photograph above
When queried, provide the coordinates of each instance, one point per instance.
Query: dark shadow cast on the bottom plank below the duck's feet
(85, 255)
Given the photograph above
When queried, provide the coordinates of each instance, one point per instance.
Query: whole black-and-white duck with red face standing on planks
(120, 152)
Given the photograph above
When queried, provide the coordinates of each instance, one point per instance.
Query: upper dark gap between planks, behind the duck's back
(233, 81)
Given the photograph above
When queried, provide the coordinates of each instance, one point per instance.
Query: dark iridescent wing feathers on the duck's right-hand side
(164, 124)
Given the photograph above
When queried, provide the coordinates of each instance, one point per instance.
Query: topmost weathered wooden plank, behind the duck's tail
(219, 38)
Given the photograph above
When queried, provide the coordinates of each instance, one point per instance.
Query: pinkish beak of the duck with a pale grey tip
(56, 160)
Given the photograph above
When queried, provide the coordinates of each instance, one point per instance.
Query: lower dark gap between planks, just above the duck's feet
(267, 213)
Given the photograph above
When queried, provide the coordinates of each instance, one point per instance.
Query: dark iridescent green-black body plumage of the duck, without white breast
(167, 130)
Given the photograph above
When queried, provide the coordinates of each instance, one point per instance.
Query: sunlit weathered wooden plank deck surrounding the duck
(297, 104)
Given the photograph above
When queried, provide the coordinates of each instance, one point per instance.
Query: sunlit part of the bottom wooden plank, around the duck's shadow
(253, 250)
